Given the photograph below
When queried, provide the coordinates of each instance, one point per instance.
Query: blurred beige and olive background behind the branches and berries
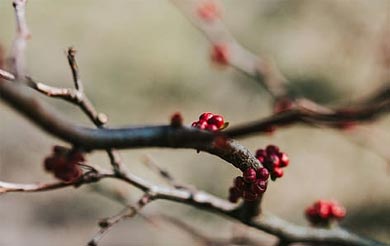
(141, 61)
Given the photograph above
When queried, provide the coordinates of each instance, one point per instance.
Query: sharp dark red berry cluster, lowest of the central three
(250, 186)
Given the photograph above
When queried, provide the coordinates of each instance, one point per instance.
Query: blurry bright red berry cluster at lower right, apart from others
(322, 212)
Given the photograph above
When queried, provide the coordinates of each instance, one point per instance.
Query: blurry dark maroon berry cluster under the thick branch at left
(63, 163)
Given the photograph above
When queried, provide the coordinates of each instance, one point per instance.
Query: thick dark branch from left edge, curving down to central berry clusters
(134, 137)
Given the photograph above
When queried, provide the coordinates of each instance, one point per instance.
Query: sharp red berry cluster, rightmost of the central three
(273, 159)
